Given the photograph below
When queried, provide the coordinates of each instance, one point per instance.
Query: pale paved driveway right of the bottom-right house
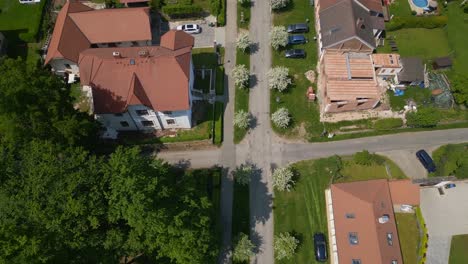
(445, 215)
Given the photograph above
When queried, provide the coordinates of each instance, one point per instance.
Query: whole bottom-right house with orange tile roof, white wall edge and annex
(361, 220)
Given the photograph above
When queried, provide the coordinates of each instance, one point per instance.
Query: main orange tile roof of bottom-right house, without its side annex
(367, 201)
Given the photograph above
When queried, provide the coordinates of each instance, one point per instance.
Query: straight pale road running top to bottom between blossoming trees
(259, 139)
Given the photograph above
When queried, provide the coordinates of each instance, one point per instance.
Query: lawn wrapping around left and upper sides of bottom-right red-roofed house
(302, 211)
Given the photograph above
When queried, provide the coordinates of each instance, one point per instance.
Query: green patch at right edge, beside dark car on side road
(451, 159)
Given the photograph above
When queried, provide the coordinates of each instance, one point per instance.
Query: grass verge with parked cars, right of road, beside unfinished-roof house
(303, 113)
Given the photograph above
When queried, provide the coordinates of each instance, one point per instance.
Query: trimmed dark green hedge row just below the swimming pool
(428, 22)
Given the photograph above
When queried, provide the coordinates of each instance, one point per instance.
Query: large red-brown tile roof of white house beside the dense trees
(159, 80)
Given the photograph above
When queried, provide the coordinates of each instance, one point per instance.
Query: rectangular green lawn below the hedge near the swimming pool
(419, 42)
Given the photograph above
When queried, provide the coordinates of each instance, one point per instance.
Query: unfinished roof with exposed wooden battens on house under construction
(349, 76)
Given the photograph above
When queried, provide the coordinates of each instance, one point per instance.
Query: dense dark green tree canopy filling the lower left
(60, 201)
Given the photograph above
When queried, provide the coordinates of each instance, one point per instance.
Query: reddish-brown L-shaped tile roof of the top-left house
(78, 26)
